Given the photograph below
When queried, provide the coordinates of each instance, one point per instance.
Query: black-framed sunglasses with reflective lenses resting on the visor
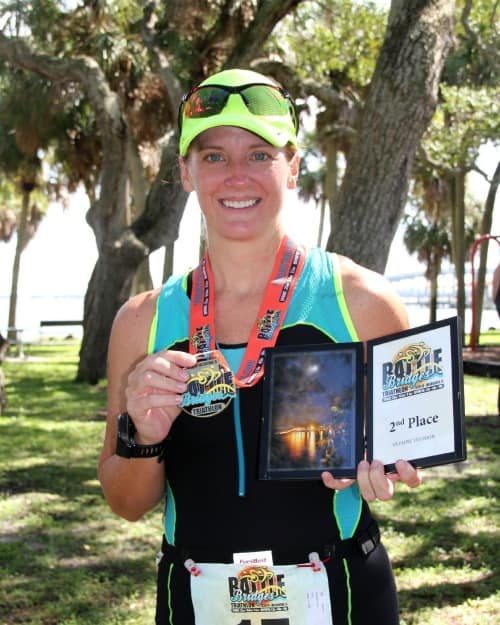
(259, 98)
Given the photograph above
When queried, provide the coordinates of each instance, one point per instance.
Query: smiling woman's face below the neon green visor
(240, 180)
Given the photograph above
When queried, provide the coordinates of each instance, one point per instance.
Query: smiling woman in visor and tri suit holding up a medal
(238, 153)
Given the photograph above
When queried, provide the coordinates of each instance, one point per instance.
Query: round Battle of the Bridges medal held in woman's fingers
(211, 386)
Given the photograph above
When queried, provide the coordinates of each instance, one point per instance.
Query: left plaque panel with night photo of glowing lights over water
(313, 417)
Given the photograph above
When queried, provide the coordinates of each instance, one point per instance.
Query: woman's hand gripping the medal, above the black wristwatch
(154, 391)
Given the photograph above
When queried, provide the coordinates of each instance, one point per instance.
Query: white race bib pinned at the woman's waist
(232, 594)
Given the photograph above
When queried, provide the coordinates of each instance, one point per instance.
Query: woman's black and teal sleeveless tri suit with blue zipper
(215, 503)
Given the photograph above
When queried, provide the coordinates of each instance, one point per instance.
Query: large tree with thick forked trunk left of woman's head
(179, 47)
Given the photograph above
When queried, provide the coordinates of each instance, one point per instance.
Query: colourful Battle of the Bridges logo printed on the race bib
(258, 589)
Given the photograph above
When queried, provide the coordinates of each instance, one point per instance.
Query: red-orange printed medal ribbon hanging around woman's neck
(286, 271)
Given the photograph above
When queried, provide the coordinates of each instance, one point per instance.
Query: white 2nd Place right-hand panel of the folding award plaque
(415, 408)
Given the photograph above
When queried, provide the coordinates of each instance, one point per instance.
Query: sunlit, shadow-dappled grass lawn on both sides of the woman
(65, 559)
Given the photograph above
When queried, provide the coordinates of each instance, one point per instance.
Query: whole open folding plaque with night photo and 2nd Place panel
(314, 416)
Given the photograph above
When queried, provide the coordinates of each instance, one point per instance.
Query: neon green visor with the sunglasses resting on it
(241, 98)
